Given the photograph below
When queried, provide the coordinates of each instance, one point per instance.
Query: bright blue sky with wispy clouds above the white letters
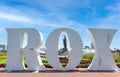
(47, 15)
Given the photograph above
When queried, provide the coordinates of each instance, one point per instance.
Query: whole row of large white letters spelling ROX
(101, 39)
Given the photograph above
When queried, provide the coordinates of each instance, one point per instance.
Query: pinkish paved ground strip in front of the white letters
(52, 73)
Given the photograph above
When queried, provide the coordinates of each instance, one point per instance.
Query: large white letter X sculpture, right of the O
(103, 60)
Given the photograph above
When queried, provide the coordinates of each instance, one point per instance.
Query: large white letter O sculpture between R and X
(52, 49)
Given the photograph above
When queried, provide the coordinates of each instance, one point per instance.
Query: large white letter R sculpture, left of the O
(15, 50)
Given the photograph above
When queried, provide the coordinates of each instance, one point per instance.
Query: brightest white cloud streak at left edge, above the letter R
(14, 17)
